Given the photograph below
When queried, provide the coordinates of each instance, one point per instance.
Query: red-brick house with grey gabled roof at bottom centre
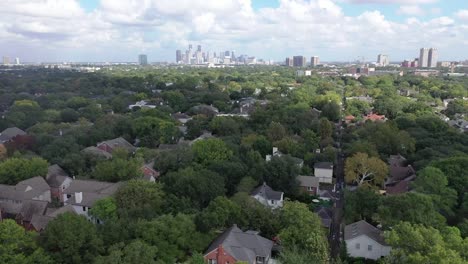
(234, 246)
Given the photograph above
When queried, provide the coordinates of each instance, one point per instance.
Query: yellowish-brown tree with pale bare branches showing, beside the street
(365, 170)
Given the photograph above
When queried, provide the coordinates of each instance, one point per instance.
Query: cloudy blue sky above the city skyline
(335, 30)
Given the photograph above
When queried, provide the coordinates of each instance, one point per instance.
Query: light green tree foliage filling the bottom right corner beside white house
(415, 244)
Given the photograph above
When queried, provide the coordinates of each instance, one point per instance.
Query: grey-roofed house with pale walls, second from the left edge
(82, 194)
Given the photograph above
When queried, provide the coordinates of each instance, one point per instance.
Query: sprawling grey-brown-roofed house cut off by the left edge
(12, 198)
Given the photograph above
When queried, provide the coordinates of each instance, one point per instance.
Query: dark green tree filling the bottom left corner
(18, 246)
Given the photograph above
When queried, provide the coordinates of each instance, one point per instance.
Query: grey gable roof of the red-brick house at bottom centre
(243, 246)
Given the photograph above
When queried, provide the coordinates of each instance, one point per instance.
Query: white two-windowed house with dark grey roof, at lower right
(365, 241)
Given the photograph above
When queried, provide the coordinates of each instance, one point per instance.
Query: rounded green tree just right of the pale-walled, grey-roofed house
(139, 199)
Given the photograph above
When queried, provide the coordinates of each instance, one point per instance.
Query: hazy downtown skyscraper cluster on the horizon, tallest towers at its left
(198, 56)
